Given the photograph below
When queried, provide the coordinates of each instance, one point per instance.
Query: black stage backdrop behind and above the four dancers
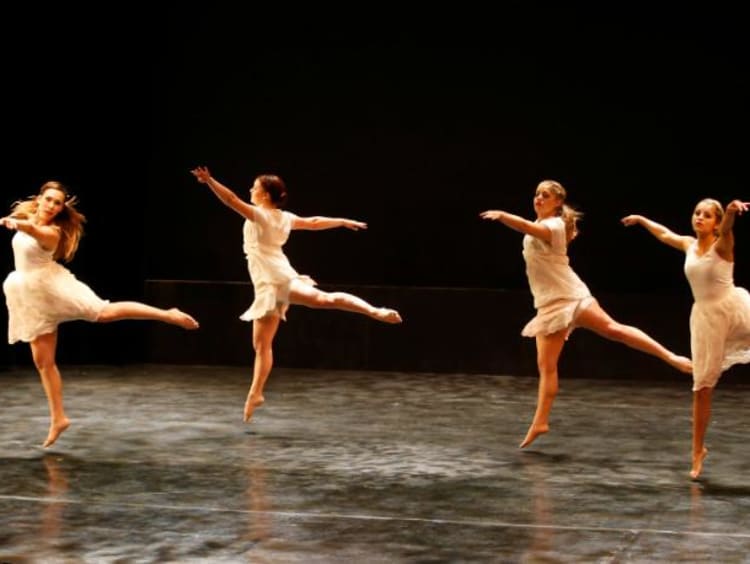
(412, 122)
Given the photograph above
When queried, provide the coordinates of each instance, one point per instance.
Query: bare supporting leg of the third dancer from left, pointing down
(548, 349)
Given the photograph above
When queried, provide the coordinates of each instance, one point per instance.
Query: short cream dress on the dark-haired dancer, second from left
(270, 271)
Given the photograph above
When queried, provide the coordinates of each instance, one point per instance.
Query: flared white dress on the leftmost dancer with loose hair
(41, 293)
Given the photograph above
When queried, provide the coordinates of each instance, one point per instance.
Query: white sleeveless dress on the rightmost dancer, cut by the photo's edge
(719, 318)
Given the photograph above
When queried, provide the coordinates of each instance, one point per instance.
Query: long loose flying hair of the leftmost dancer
(70, 221)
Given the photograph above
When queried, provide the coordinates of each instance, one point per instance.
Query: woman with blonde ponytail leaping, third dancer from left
(562, 300)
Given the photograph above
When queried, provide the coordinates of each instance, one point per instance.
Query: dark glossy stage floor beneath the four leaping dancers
(366, 467)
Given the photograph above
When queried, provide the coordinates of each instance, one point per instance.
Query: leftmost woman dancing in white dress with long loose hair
(41, 293)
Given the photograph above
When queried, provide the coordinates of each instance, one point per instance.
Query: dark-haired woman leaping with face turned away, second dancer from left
(275, 282)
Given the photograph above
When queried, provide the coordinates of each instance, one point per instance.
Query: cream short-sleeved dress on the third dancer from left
(559, 294)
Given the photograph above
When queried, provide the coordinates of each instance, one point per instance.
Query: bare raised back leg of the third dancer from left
(597, 320)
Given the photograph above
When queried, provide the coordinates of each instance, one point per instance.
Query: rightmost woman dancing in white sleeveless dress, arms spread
(720, 315)
